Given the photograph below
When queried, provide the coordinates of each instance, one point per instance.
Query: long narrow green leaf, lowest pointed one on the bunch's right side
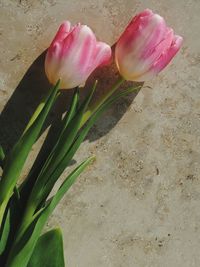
(26, 240)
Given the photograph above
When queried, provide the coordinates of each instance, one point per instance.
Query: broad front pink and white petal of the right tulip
(147, 32)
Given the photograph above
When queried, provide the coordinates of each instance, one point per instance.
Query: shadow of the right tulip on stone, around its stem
(106, 77)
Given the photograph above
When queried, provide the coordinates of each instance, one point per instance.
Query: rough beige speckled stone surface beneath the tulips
(138, 205)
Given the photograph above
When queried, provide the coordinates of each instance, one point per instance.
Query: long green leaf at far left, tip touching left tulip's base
(15, 160)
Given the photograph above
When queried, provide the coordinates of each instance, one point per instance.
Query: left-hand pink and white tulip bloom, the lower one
(74, 54)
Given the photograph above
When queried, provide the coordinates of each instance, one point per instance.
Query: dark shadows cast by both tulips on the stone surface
(34, 85)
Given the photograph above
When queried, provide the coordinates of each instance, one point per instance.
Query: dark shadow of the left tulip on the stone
(24, 100)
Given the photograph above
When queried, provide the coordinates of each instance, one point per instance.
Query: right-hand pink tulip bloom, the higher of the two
(146, 47)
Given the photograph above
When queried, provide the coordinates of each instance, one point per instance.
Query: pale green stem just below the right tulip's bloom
(94, 107)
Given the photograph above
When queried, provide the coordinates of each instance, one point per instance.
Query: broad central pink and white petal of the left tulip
(71, 71)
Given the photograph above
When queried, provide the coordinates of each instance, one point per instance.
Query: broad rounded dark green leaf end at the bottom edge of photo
(48, 251)
